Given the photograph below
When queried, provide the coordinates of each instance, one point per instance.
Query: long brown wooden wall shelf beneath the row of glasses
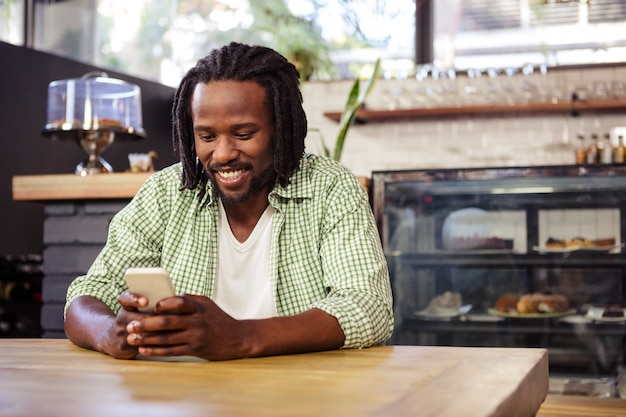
(377, 116)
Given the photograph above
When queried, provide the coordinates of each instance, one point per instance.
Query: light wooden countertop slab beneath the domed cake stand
(76, 187)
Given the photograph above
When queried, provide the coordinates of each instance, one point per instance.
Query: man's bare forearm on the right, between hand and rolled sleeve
(310, 331)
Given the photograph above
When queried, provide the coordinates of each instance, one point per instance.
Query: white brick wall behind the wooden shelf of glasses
(454, 142)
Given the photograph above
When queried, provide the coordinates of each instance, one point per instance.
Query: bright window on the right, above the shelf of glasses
(487, 33)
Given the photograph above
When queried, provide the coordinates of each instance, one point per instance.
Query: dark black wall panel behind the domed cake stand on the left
(24, 78)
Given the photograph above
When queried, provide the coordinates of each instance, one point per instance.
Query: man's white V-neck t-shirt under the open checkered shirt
(243, 287)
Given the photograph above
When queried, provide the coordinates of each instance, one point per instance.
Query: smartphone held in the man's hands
(153, 283)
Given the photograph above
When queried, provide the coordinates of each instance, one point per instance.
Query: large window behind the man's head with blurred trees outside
(161, 39)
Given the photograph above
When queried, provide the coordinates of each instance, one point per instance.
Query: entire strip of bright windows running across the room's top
(161, 39)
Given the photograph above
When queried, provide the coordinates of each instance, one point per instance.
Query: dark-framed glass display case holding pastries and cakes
(509, 257)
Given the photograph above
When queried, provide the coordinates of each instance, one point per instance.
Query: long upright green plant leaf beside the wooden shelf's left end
(356, 100)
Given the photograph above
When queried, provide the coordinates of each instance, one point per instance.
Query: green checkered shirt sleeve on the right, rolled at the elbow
(355, 268)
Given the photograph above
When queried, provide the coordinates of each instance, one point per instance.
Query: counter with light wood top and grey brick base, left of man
(77, 214)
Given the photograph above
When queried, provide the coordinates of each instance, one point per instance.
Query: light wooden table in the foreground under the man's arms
(52, 377)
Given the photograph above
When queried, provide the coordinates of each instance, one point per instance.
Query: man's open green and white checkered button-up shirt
(326, 252)
